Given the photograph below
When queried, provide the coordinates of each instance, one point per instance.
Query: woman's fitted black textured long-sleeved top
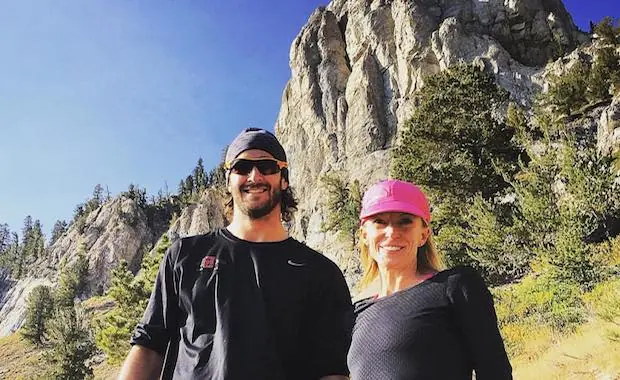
(443, 328)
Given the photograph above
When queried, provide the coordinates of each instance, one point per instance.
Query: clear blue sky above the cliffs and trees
(114, 92)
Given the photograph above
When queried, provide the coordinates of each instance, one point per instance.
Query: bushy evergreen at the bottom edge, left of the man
(71, 345)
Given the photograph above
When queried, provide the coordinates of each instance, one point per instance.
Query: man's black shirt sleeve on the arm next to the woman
(331, 324)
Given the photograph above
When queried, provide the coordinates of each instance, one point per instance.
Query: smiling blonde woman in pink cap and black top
(416, 320)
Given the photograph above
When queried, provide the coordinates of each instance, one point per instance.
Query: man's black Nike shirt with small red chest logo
(226, 308)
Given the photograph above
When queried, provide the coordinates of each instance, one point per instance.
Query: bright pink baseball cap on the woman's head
(395, 196)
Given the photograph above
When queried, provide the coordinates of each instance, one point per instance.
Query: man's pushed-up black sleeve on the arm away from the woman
(159, 322)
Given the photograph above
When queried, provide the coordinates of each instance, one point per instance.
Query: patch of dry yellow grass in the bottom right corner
(586, 354)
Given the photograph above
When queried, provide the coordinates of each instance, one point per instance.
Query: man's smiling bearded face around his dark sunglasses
(256, 194)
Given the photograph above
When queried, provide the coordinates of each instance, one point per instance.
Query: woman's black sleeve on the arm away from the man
(475, 315)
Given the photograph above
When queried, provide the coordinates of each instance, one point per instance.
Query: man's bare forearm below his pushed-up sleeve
(141, 364)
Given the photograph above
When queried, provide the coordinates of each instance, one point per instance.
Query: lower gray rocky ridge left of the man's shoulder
(116, 230)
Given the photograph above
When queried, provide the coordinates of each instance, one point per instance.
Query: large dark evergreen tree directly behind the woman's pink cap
(457, 149)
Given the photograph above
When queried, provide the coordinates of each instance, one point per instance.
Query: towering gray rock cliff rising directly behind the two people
(356, 65)
